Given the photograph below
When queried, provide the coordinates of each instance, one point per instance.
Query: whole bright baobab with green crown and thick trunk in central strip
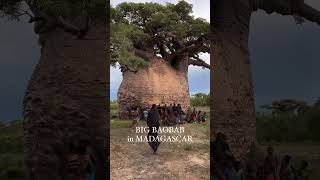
(154, 45)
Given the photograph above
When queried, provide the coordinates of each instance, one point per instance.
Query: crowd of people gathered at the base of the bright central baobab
(169, 115)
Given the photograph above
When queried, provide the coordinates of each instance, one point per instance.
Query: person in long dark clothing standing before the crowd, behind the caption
(153, 121)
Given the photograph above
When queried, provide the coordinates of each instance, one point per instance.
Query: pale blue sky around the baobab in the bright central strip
(199, 78)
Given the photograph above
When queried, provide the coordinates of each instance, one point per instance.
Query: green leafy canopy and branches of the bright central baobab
(142, 29)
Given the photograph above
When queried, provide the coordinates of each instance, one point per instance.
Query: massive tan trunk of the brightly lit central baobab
(160, 83)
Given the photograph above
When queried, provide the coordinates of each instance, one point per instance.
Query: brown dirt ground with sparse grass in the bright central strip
(134, 160)
